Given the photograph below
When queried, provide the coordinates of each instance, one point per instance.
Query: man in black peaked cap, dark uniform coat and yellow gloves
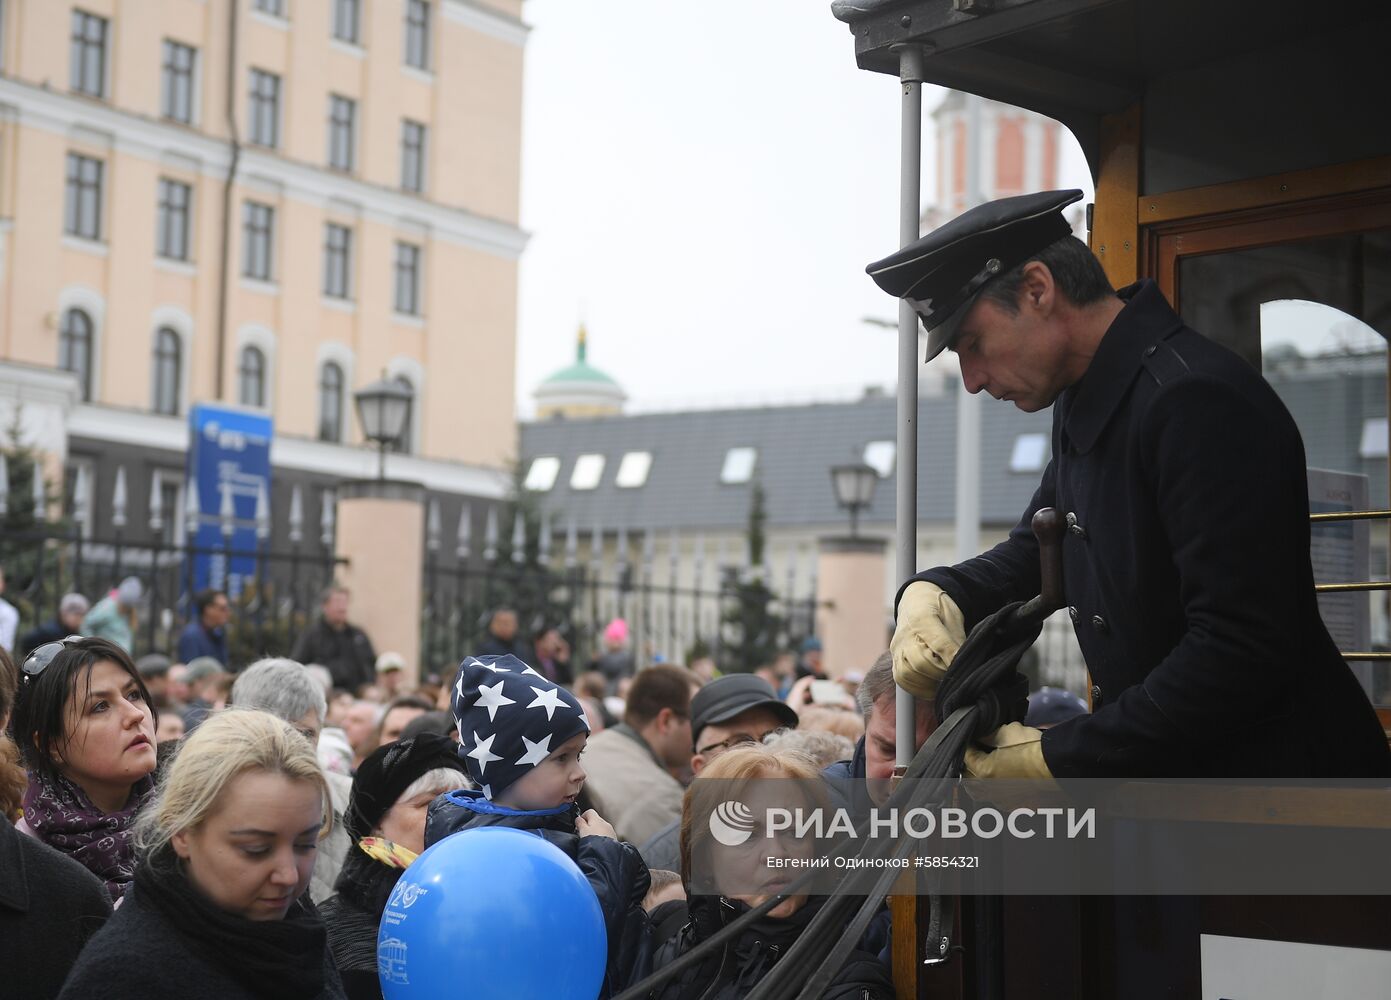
(1182, 479)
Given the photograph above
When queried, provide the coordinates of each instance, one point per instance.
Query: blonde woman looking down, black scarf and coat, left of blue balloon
(219, 906)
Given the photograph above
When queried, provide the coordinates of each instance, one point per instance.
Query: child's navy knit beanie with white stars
(511, 718)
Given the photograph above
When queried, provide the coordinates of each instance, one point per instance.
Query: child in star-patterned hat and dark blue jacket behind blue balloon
(521, 739)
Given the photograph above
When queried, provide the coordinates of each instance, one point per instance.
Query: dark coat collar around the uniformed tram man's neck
(1088, 405)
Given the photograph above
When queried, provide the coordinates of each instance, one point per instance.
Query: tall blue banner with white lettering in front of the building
(229, 465)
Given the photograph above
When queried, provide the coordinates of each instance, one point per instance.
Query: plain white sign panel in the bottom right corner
(1247, 969)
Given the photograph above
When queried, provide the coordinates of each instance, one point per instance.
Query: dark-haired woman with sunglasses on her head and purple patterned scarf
(84, 725)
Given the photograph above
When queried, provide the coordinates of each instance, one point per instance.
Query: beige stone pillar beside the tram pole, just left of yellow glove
(852, 618)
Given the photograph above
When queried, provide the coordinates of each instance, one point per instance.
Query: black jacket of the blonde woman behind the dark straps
(732, 973)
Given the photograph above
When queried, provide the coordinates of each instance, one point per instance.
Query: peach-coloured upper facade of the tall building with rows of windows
(264, 204)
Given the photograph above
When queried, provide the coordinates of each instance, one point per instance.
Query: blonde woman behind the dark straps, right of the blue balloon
(734, 971)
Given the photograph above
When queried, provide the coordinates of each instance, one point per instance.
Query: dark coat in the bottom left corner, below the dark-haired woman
(49, 908)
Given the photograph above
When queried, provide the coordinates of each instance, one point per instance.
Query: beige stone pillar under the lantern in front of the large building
(382, 536)
